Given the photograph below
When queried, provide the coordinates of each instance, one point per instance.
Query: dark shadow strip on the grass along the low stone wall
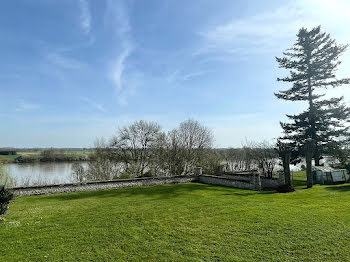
(167, 191)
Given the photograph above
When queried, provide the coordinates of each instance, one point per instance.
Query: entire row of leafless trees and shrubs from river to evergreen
(143, 149)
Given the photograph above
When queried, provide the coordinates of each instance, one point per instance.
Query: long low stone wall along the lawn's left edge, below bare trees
(92, 186)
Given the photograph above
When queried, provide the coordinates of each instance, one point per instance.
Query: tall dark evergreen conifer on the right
(313, 62)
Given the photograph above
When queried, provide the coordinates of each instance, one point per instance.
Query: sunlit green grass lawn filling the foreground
(184, 222)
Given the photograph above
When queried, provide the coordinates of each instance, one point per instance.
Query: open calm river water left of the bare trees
(39, 173)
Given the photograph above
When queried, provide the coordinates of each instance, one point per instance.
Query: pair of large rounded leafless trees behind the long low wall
(142, 149)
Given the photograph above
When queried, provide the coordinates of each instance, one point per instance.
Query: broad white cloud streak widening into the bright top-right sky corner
(272, 31)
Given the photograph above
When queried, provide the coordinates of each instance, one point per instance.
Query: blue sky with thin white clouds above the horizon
(72, 71)
